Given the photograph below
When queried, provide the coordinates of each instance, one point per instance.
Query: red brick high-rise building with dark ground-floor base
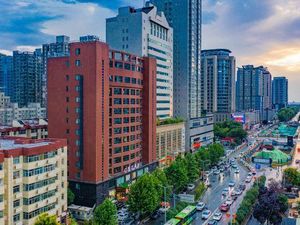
(104, 103)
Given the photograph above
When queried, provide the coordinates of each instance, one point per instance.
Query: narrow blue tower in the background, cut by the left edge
(6, 69)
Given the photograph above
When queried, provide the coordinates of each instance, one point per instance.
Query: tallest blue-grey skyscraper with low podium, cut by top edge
(185, 17)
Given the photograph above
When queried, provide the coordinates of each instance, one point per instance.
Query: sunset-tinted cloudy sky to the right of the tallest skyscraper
(258, 32)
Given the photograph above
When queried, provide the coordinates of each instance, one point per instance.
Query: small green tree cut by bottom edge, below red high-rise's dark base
(106, 213)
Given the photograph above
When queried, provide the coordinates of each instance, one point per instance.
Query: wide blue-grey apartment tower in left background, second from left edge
(26, 79)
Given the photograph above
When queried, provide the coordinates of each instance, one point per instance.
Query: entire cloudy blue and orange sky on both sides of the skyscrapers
(258, 32)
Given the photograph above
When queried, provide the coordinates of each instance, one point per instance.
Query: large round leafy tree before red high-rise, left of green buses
(145, 194)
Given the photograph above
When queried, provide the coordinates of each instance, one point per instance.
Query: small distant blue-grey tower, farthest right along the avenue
(280, 92)
